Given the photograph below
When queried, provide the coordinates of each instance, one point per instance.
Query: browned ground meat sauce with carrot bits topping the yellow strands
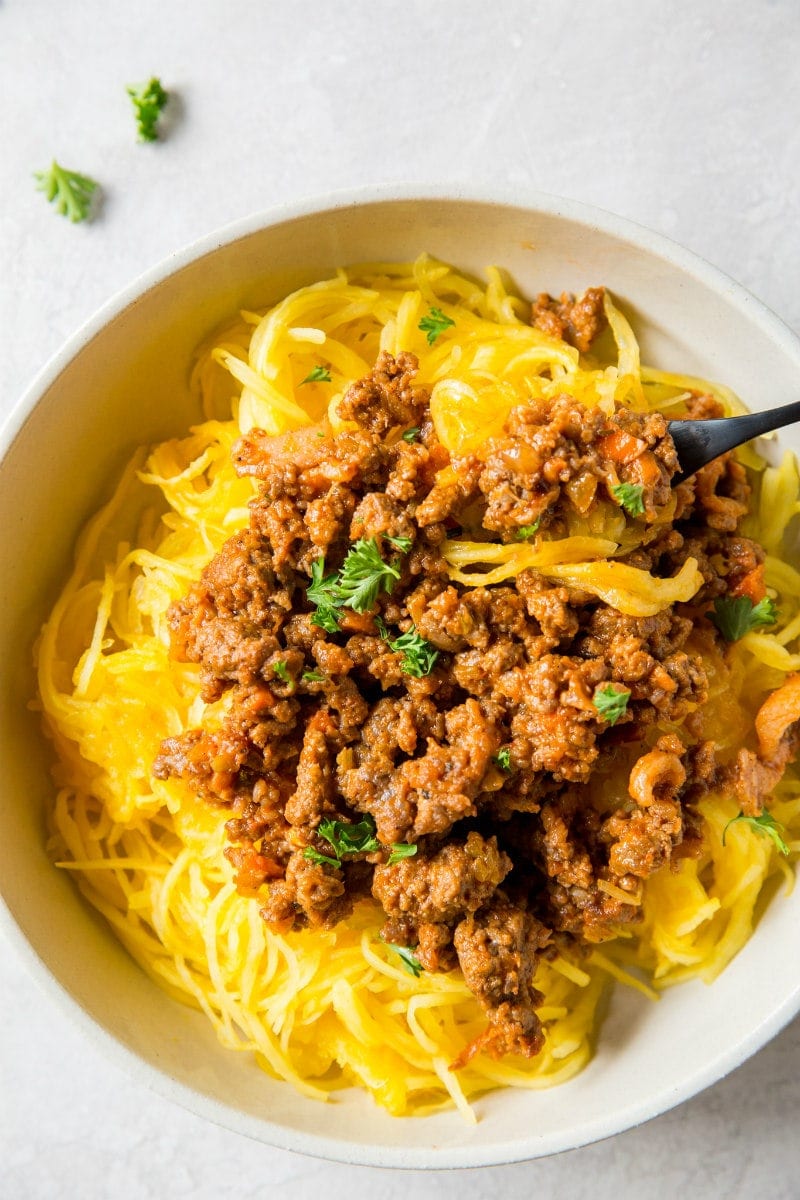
(495, 764)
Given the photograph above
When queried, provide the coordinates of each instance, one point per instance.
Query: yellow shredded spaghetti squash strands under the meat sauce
(330, 1010)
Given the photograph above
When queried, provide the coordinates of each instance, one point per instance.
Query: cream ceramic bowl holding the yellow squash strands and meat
(123, 381)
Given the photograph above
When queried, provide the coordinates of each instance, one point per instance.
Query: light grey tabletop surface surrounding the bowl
(683, 116)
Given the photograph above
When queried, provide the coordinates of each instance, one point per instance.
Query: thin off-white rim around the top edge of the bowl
(136, 1067)
